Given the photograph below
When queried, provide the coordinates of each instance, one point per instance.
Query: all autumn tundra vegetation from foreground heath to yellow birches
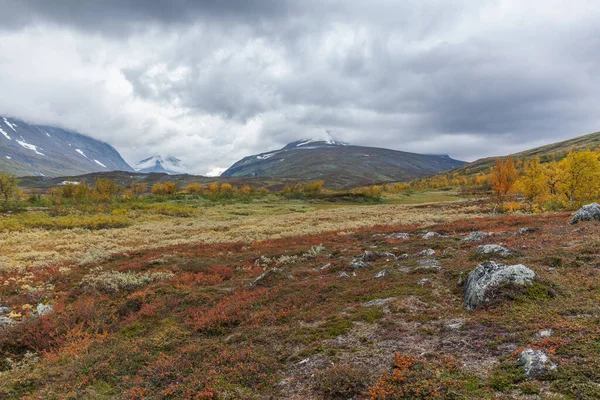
(223, 292)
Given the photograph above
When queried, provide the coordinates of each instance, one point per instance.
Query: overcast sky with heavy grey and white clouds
(212, 81)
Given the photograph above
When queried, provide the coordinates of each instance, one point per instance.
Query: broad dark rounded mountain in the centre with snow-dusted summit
(340, 164)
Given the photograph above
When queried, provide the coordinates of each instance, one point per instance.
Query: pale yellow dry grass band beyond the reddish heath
(218, 224)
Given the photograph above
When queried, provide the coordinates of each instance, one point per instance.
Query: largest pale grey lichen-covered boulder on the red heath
(489, 275)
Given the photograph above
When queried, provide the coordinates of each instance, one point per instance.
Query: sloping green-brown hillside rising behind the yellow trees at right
(549, 152)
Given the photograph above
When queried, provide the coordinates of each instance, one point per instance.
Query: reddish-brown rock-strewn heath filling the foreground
(381, 312)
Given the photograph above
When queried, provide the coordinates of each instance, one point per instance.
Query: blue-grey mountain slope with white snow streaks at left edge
(27, 149)
